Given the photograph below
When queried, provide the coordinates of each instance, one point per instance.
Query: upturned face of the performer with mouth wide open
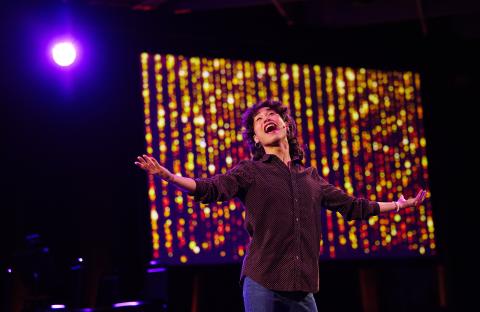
(269, 127)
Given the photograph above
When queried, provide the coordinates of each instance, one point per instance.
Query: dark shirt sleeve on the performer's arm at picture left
(222, 187)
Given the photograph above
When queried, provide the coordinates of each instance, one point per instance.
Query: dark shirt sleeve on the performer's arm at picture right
(351, 208)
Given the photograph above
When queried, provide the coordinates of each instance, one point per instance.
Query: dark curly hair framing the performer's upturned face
(257, 152)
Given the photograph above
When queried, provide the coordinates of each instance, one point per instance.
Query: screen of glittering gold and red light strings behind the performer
(361, 128)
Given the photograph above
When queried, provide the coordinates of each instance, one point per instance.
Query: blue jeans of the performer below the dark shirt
(257, 298)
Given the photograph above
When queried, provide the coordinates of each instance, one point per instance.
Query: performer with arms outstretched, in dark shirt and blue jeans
(282, 199)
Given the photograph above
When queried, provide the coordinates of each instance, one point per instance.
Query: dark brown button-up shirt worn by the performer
(282, 217)
